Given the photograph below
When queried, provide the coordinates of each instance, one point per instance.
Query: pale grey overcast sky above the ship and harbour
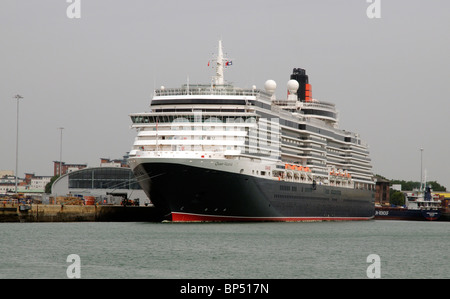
(389, 77)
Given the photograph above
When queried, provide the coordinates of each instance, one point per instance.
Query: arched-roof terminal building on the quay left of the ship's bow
(109, 184)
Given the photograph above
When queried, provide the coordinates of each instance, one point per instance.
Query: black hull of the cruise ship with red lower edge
(187, 193)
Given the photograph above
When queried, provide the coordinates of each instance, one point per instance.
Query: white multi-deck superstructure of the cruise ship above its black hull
(289, 139)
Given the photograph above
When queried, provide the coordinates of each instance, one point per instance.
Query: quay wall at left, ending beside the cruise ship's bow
(78, 213)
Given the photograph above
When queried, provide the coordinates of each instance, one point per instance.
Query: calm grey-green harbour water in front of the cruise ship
(226, 250)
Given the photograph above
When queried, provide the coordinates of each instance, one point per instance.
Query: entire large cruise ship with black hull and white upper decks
(216, 152)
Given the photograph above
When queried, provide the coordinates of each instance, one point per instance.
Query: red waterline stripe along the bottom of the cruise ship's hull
(185, 217)
